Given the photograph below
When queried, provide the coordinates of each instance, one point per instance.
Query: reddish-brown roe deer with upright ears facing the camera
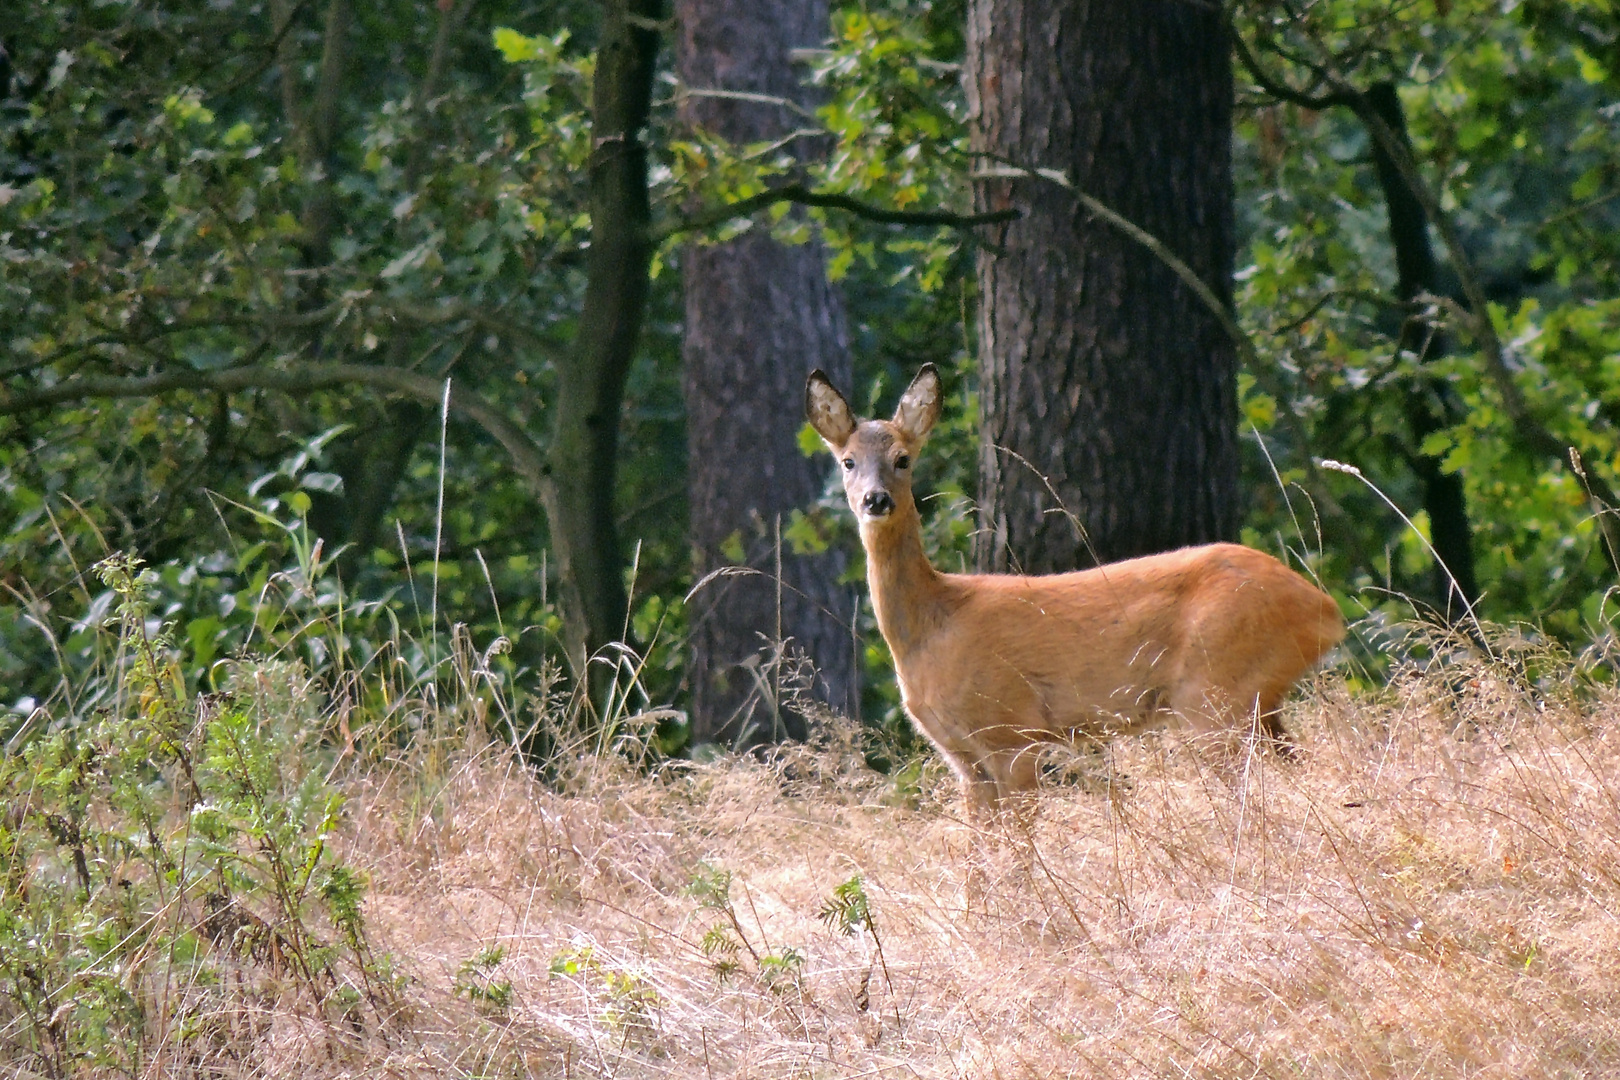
(994, 666)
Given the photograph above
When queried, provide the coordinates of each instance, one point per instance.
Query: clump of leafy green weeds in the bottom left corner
(169, 861)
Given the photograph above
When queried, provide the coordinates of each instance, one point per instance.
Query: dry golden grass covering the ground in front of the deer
(1431, 890)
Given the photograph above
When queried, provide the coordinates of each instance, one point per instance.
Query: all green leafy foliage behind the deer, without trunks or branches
(171, 203)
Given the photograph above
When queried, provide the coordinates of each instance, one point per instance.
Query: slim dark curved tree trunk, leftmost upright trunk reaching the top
(582, 466)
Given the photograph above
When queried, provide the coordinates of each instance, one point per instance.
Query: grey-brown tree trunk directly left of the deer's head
(759, 318)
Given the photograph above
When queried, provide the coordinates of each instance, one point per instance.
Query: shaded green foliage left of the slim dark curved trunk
(166, 211)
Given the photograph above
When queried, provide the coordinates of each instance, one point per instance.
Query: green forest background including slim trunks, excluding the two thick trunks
(247, 247)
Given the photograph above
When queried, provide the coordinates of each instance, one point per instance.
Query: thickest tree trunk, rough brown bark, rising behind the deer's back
(1109, 391)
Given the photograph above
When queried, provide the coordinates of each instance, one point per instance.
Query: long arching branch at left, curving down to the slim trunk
(527, 456)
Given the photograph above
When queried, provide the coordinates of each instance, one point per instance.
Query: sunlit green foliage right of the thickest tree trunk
(1511, 119)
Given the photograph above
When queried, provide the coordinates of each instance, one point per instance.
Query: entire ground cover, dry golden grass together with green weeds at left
(289, 877)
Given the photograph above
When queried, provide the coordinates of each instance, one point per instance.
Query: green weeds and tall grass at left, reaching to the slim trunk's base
(174, 899)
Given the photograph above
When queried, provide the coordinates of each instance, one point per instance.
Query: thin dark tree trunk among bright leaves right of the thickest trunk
(1431, 406)
